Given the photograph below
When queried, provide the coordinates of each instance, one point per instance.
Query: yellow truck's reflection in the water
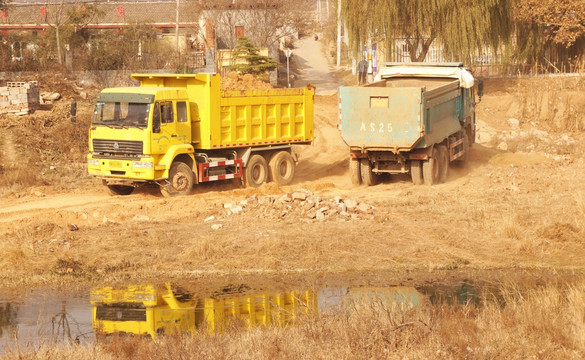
(144, 310)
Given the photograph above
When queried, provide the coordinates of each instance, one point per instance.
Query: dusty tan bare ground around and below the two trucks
(516, 209)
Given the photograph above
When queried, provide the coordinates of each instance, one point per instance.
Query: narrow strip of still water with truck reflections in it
(45, 316)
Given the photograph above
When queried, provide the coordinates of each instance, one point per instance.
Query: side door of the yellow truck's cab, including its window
(164, 131)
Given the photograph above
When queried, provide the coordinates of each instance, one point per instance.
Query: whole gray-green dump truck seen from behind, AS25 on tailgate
(414, 118)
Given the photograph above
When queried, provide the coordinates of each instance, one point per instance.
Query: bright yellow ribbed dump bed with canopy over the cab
(227, 119)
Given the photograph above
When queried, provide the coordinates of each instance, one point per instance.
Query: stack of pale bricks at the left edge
(19, 98)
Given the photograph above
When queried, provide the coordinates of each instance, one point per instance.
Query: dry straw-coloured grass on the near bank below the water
(542, 323)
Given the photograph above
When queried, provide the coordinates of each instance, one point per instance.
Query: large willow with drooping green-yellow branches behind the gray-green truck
(463, 27)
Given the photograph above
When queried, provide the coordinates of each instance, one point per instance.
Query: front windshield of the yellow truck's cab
(121, 114)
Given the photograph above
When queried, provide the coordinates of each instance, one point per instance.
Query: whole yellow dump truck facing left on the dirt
(177, 130)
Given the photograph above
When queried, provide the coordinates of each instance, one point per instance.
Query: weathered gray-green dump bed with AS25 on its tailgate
(399, 113)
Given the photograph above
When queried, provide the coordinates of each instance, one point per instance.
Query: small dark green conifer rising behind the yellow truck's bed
(248, 59)
